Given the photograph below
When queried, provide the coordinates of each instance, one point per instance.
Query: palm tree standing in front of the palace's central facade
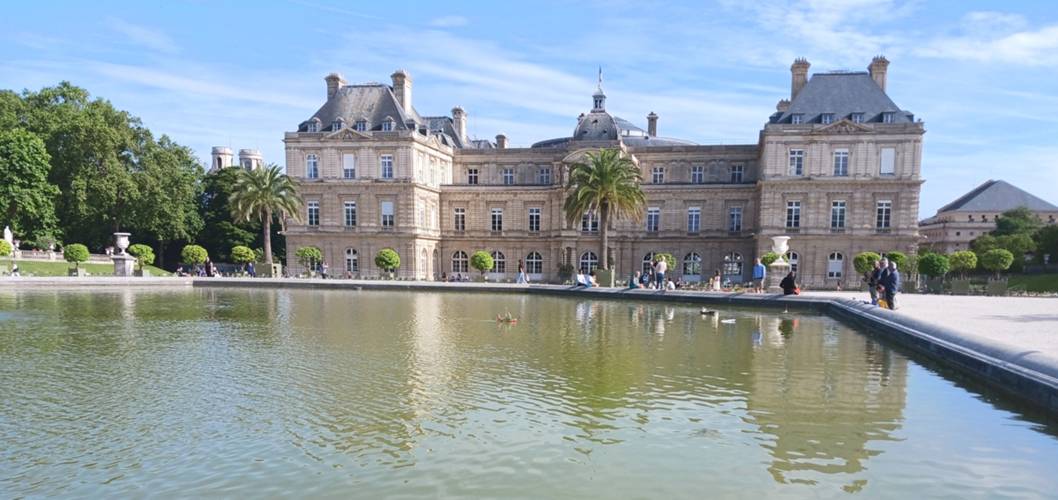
(608, 184)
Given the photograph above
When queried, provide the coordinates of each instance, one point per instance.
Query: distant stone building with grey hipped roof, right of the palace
(958, 224)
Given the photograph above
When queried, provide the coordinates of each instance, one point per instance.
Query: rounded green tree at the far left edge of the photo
(27, 198)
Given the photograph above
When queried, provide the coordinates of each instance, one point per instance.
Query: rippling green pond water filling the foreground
(230, 393)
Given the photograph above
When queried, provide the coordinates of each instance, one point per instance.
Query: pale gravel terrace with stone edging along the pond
(1011, 343)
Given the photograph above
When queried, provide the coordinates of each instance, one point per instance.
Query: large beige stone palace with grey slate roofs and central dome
(837, 168)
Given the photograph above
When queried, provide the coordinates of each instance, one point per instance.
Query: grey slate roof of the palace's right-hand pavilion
(843, 95)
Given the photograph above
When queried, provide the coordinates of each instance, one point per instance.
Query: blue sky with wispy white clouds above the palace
(982, 76)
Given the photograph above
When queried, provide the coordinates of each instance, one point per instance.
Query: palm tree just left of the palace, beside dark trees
(264, 194)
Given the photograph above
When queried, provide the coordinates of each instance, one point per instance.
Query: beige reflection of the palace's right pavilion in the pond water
(824, 402)
